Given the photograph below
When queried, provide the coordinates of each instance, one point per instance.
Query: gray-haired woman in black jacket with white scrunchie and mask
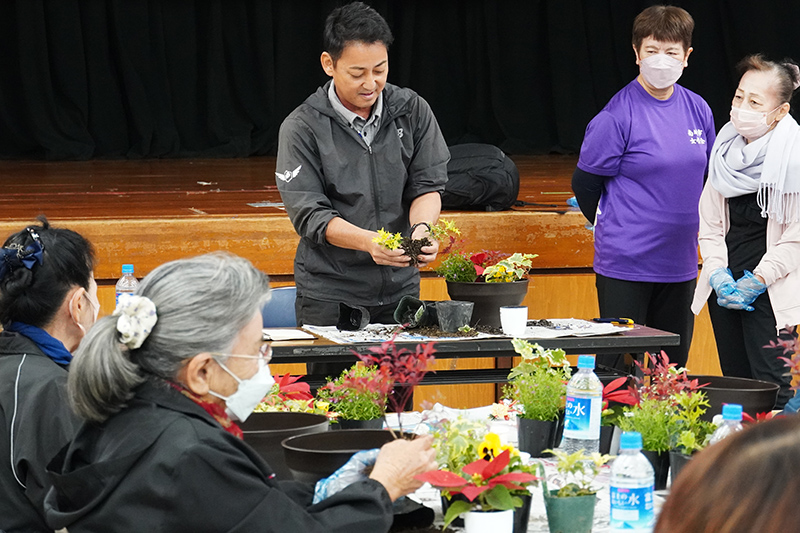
(160, 385)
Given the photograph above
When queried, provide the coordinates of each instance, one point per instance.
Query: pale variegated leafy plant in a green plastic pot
(570, 508)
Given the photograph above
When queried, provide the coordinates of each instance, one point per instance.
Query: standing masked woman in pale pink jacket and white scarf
(750, 225)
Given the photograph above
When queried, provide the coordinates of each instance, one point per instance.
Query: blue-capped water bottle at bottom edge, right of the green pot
(632, 482)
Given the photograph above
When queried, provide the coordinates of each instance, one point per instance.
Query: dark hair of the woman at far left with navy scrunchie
(33, 296)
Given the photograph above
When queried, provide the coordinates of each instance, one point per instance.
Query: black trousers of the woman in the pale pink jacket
(742, 342)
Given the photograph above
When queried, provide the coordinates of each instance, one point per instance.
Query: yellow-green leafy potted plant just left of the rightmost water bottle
(689, 432)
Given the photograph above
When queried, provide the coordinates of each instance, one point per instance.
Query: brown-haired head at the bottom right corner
(747, 483)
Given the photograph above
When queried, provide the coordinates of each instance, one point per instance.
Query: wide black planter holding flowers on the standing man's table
(488, 298)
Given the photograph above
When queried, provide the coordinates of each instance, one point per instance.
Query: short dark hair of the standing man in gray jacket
(354, 22)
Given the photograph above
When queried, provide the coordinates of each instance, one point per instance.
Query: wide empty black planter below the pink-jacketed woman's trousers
(753, 395)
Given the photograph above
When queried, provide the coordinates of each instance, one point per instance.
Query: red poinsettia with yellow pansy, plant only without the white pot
(494, 482)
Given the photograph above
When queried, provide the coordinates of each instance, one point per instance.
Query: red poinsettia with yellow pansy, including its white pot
(492, 486)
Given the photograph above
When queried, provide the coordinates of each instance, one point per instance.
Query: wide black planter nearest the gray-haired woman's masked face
(264, 432)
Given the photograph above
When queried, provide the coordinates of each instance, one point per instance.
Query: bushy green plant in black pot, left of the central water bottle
(538, 386)
